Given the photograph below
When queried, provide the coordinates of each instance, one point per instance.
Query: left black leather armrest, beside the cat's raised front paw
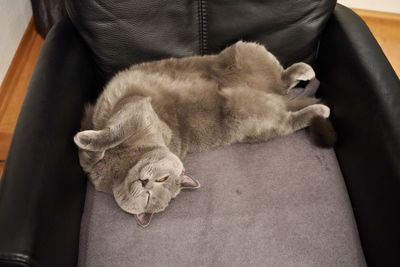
(43, 187)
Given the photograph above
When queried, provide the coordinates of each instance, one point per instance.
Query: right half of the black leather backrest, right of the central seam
(289, 29)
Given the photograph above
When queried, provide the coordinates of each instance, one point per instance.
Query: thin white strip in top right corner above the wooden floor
(392, 6)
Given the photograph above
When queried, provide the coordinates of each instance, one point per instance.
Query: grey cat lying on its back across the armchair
(133, 140)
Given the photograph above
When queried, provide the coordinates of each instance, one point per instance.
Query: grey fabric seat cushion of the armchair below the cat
(281, 203)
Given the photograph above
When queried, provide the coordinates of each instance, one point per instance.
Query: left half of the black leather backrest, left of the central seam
(121, 33)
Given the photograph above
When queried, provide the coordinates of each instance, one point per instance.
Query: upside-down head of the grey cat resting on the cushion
(151, 183)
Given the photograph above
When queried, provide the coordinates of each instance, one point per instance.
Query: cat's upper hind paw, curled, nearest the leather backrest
(297, 72)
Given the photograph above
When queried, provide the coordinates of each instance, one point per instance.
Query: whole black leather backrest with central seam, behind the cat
(124, 32)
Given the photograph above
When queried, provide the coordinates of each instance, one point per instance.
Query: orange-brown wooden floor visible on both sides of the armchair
(384, 26)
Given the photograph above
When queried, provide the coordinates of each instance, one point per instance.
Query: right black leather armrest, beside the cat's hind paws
(364, 91)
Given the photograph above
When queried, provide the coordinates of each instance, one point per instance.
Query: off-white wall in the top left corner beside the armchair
(14, 17)
